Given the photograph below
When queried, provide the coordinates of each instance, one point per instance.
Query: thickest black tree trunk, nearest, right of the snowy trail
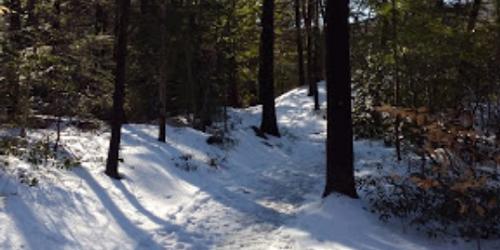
(340, 171)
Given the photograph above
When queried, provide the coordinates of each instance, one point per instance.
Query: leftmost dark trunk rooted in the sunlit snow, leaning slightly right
(121, 25)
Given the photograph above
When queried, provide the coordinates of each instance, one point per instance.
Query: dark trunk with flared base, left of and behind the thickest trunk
(266, 70)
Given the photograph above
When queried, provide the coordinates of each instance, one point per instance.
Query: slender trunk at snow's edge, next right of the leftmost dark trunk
(162, 91)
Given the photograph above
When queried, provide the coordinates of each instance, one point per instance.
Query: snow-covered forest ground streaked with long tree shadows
(186, 194)
